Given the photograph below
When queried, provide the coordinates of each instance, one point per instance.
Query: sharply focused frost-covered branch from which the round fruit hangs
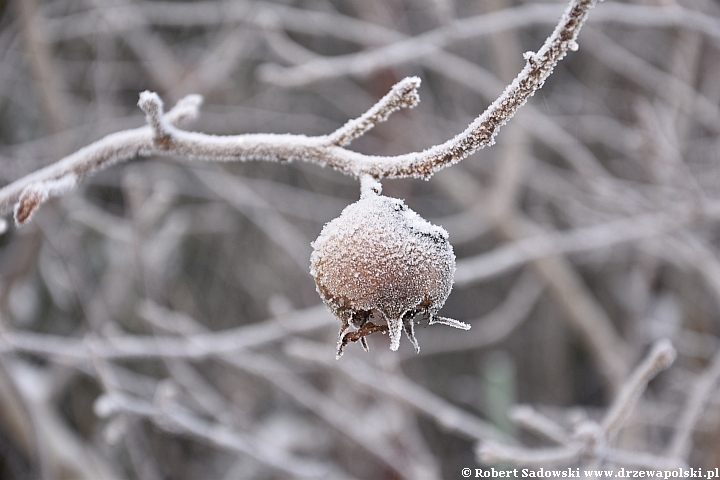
(161, 137)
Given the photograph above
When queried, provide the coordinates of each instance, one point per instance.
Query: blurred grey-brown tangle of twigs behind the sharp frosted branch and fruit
(588, 232)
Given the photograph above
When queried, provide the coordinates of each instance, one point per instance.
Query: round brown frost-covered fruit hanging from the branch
(379, 259)
